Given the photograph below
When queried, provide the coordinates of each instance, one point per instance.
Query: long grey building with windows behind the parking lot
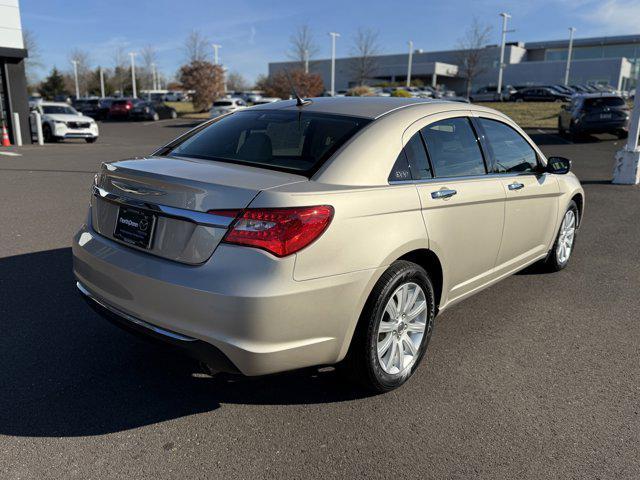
(601, 60)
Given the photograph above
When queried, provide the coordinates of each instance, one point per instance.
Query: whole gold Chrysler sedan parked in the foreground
(306, 233)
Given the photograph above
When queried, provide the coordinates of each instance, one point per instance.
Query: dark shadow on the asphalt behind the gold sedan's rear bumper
(67, 372)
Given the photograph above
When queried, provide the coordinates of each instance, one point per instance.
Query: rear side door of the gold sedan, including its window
(462, 207)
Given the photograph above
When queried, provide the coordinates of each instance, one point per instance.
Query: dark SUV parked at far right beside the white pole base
(594, 113)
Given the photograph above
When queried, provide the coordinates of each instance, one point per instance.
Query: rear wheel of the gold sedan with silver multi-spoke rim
(394, 328)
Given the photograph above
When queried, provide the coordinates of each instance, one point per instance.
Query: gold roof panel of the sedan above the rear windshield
(366, 107)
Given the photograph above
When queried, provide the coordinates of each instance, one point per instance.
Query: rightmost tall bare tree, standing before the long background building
(472, 55)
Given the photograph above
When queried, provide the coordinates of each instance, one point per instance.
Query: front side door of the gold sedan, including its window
(531, 195)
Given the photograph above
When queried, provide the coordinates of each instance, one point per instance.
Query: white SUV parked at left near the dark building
(61, 121)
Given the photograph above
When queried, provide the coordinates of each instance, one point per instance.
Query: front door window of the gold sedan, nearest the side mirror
(511, 152)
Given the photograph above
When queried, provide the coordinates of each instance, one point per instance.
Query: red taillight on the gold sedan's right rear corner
(281, 231)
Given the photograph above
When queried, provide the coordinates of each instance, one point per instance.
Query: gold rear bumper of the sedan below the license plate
(242, 301)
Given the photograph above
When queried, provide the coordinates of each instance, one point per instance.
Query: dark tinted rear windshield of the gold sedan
(297, 142)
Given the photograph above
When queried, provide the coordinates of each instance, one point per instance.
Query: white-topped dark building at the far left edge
(13, 82)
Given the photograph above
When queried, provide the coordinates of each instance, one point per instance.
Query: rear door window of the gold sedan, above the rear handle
(453, 148)
